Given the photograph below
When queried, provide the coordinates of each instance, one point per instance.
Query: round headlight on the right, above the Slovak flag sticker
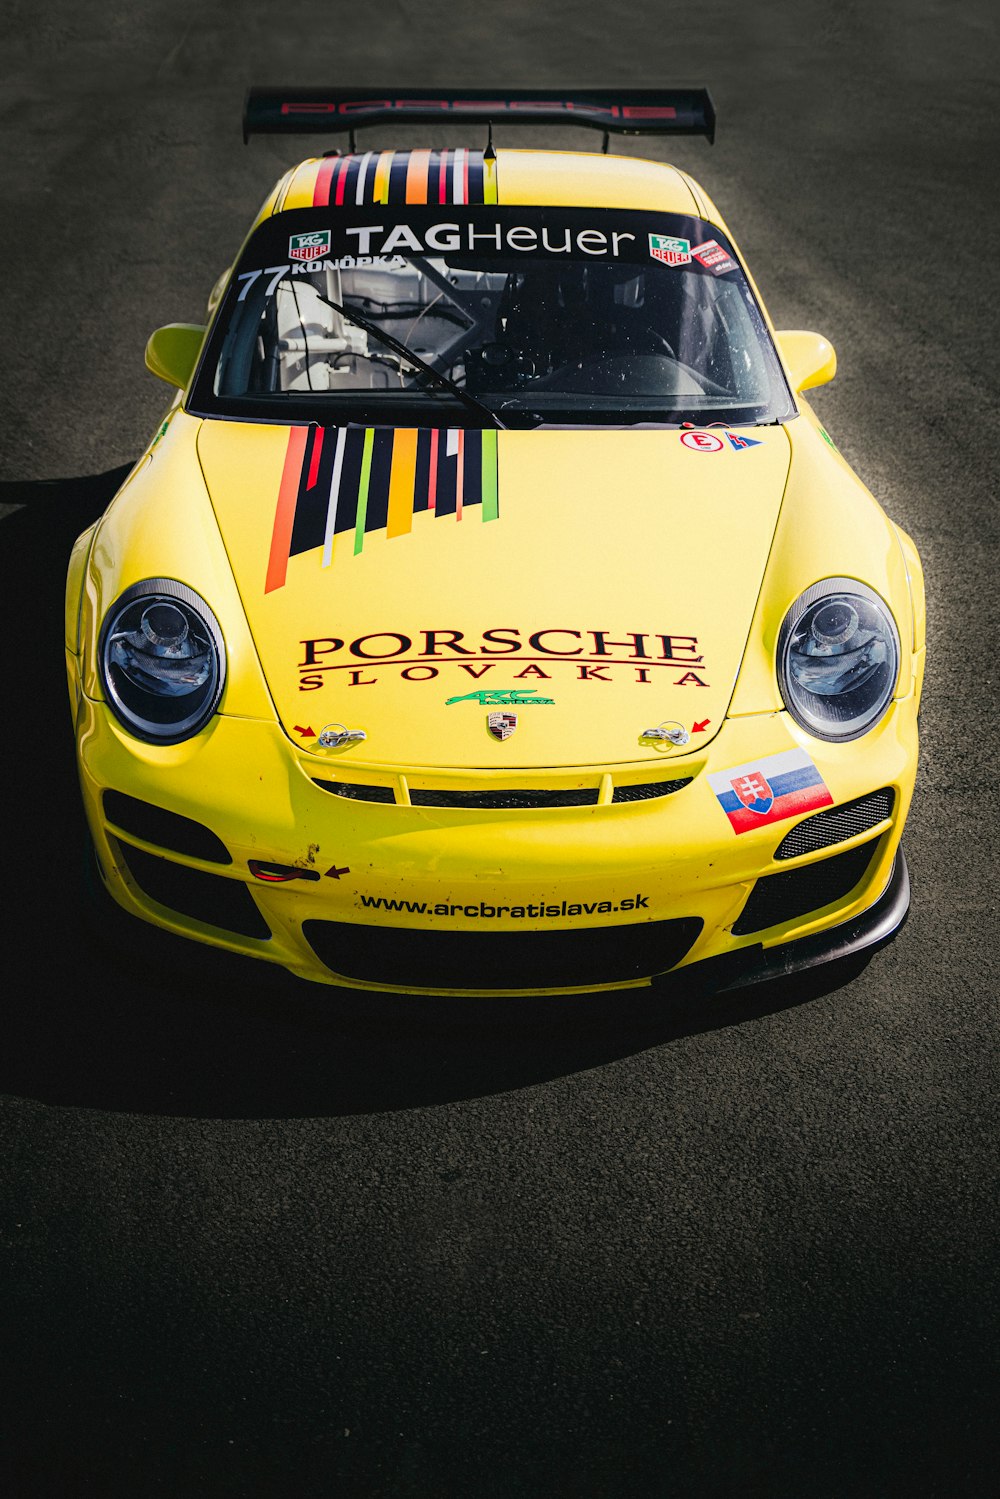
(839, 659)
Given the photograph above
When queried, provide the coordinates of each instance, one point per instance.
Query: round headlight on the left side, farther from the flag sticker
(163, 662)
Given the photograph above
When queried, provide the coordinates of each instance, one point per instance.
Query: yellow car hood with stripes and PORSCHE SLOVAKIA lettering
(497, 600)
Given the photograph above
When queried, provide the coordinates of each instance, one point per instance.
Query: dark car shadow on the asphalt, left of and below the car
(107, 1013)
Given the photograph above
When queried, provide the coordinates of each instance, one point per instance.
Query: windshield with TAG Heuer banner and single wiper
(539, 316)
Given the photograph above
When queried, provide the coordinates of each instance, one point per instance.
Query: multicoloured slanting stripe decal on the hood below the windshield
(356, 480)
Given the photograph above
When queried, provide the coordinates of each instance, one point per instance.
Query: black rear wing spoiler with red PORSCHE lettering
(615, 112)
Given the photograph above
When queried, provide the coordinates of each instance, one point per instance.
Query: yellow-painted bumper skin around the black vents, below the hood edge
(491, 870)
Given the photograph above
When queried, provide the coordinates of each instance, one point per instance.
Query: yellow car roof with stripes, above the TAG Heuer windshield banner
(558, 179)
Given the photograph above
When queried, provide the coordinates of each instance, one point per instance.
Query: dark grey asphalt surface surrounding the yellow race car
(262, 1240)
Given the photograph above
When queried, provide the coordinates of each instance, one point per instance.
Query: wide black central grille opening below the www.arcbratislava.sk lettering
(449, 960)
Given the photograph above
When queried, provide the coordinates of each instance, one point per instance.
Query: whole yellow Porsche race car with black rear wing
(493, 614)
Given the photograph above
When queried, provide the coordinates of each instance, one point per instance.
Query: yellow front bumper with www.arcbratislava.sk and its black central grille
(430, 900)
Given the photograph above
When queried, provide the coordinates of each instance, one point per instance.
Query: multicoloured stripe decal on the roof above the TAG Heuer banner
(401, 178)
